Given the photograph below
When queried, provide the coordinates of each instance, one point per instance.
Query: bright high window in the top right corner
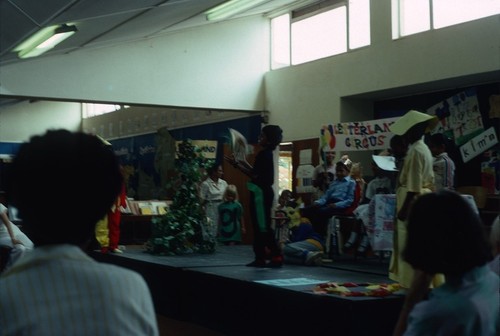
(414, 16)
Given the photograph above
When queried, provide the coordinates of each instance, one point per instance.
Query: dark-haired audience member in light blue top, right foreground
(467, 304)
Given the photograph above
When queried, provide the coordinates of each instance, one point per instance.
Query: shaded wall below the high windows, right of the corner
(302, 98)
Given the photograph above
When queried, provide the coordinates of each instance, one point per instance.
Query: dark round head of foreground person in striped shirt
(62, 183)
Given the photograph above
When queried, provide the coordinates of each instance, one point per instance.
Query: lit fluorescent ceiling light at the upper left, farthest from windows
(44, 40)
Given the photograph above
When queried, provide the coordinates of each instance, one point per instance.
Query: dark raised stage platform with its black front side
(217, 291)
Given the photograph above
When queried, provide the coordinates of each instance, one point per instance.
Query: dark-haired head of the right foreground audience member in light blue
(445, 235)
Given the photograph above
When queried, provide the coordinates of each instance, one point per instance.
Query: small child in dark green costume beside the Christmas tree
(231, 217)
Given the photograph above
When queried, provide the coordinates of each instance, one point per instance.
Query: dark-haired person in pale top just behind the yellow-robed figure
(443, 165)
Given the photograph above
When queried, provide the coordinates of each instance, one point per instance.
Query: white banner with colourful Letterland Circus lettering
(357, 135)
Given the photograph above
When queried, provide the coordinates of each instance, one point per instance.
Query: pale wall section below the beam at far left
(19, 122)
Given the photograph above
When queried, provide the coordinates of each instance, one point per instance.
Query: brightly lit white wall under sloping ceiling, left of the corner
(218, 66)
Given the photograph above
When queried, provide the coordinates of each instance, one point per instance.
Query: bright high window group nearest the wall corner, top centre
(324, 29)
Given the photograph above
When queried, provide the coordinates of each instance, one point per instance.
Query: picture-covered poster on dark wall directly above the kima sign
(459, 116)
